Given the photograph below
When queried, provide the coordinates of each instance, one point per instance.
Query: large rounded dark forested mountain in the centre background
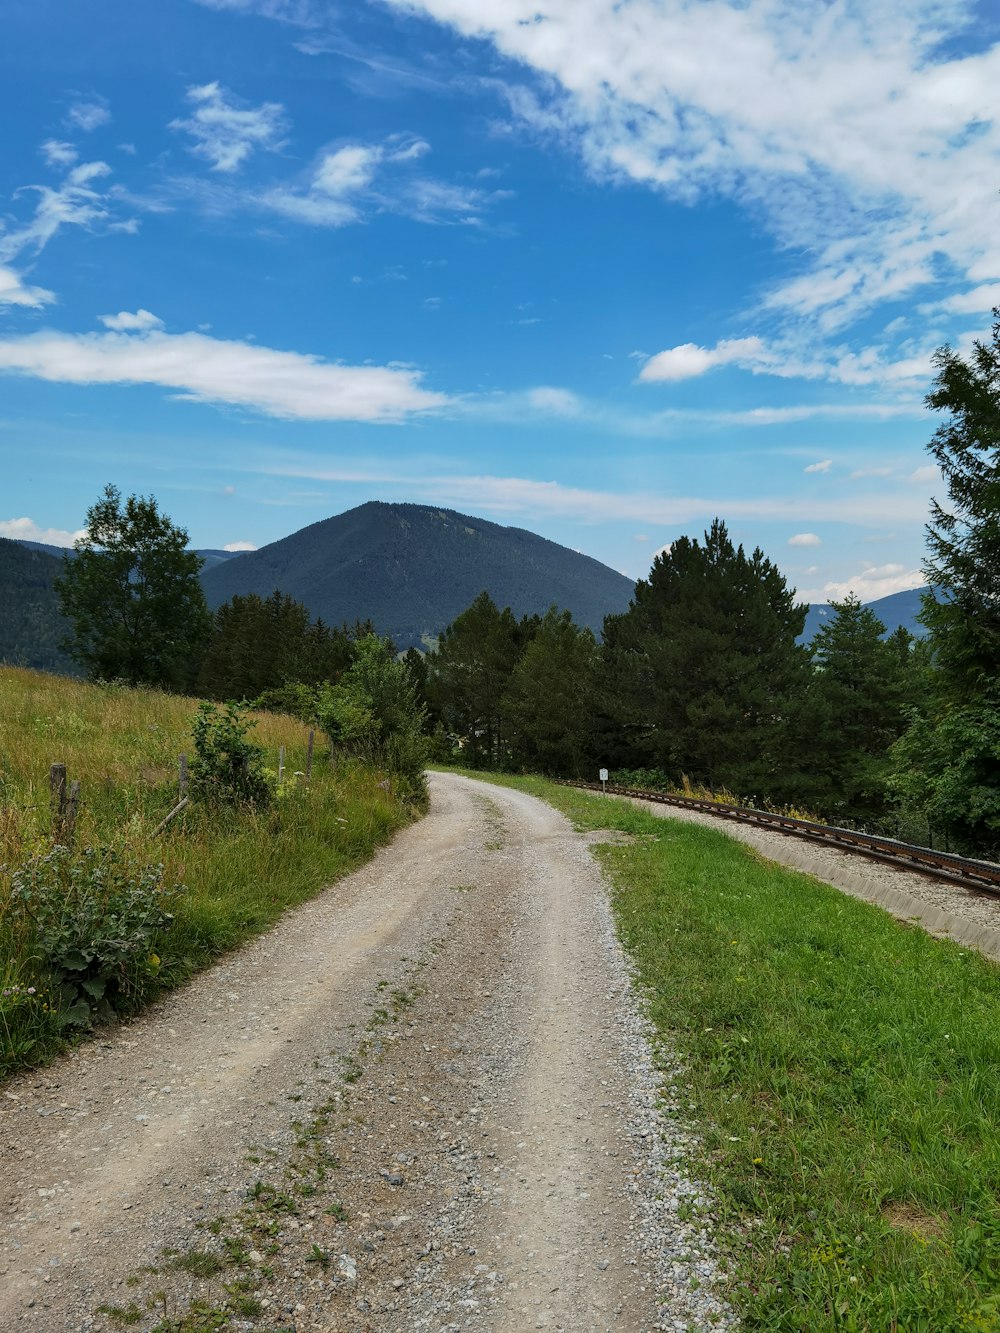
(414, 569)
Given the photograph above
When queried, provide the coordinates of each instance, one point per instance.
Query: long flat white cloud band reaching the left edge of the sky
(206, 370)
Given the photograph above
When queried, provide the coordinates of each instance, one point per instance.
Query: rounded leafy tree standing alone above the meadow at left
(133, 597)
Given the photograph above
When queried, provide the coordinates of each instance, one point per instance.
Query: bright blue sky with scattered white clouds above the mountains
(598, 269)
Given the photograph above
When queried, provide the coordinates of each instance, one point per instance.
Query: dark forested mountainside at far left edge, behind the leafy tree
(31, 627)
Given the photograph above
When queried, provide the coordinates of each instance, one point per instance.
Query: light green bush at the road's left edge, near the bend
(374, 712)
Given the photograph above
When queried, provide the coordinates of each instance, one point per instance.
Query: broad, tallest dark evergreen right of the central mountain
(707, 668)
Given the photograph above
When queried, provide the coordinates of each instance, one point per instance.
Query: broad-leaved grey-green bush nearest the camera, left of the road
(93, 920)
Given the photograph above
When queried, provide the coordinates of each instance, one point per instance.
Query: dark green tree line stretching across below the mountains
(702, 682)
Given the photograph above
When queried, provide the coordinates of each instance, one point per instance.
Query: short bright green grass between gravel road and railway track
(846, 1075)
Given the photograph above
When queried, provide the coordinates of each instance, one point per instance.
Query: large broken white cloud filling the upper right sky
(866, 134)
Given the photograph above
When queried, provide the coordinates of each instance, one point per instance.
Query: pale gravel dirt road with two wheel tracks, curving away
(423, 1102)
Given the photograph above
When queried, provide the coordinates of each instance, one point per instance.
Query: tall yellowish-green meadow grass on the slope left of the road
(241, 867)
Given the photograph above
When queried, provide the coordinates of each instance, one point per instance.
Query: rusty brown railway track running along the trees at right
(982, 876)
